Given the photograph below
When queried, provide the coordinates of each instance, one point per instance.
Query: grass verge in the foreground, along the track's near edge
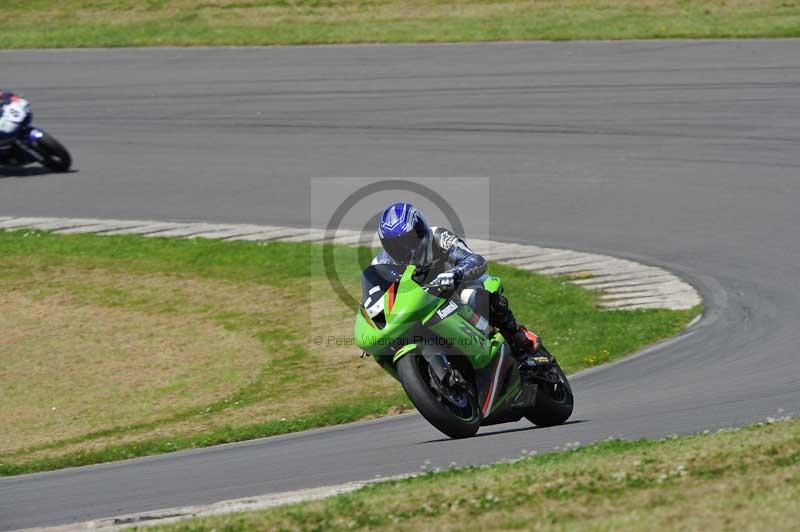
(745, 479)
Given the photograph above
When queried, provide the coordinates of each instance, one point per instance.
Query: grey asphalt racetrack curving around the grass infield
(683, 153)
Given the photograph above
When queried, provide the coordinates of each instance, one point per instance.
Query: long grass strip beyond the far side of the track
(92, 23)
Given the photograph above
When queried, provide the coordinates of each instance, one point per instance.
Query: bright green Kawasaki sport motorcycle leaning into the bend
(457, 370)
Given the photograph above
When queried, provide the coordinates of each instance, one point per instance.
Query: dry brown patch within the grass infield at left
(70, 366)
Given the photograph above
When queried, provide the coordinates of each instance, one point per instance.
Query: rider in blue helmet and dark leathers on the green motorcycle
(444, 259)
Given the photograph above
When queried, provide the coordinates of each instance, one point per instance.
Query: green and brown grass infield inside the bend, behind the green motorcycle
(114, 347)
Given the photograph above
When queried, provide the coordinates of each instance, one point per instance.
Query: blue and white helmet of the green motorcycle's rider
(404, 233)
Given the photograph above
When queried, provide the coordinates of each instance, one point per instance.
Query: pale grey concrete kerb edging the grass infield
(623, 284)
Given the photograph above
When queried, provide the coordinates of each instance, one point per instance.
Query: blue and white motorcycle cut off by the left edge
(22, 143)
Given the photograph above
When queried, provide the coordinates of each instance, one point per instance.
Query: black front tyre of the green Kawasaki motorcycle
(453, 420)
